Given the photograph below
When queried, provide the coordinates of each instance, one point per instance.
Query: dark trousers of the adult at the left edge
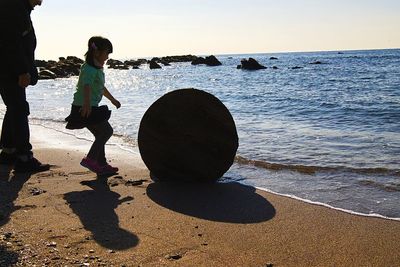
(15, 129)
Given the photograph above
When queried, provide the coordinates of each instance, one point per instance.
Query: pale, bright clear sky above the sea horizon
(139, 28)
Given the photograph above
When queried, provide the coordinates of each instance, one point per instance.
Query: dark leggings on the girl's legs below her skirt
(102, 133)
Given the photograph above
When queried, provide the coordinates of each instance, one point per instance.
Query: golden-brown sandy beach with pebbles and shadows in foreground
(69, 217)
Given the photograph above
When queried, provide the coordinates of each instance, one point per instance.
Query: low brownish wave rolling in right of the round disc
(310, 170)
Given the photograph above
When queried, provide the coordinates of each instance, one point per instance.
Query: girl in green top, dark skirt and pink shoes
(85, 110)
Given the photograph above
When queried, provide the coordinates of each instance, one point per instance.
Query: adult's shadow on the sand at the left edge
(10, 186)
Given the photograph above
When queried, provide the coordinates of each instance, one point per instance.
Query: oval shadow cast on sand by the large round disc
(221, 202)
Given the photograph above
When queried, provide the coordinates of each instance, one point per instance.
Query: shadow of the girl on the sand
(96, 210)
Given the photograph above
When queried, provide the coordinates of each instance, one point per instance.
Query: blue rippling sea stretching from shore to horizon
(321, 127)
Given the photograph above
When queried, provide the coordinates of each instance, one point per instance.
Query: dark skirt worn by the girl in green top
(76, 121)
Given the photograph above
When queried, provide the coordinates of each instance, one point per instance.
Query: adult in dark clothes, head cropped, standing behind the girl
(17, 72)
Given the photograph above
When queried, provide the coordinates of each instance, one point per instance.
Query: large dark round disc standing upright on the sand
(187, 135)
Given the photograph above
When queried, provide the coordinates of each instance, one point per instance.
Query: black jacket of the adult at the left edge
(17, 41)
